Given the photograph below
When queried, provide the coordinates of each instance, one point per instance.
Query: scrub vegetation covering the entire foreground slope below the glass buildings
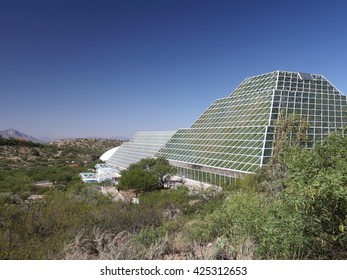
(295, 208)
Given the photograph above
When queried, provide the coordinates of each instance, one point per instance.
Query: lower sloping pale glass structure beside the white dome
(144, 144)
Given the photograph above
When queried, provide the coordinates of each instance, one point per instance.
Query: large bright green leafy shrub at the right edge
(310, 217)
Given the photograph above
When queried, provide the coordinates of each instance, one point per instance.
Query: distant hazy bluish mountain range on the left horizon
(14, 133)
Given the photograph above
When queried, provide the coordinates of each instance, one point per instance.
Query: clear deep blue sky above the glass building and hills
(72, 68)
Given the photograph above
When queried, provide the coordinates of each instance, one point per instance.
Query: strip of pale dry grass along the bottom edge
(121, 246)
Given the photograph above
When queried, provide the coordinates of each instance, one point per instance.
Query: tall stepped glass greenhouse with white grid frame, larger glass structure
(235, 135)
